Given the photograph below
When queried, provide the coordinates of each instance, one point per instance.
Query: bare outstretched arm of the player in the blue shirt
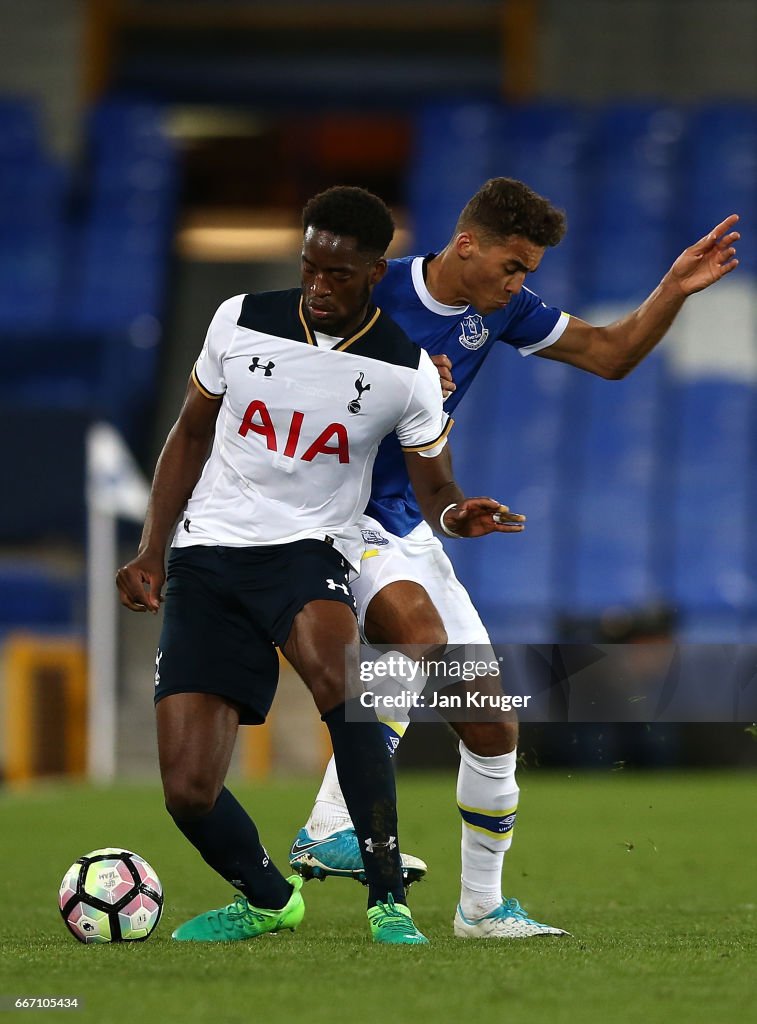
(613, 352)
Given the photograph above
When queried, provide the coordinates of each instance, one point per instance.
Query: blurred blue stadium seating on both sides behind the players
(637, 493)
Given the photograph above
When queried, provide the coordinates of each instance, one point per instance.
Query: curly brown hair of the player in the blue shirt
(504, 207)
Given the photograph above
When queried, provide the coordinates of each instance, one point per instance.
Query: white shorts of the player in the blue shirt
(420, 559)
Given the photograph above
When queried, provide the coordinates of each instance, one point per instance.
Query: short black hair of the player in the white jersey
(354, 212)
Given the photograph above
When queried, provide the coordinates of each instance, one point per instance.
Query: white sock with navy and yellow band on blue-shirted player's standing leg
(487, 797)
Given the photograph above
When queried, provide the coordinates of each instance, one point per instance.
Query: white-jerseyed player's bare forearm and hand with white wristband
(438, 493)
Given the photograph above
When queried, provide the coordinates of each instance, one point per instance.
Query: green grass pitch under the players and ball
(653, 873)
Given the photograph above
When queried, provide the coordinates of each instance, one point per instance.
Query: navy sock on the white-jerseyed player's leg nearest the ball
(229, 841)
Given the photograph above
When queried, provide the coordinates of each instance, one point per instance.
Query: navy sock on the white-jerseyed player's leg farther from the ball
(367, 780)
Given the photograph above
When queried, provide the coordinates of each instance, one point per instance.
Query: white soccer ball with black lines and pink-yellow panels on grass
(111, 895)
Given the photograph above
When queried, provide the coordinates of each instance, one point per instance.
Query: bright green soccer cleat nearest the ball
(242, 921)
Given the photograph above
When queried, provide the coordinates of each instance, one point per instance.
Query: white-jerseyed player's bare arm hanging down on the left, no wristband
(181, 463)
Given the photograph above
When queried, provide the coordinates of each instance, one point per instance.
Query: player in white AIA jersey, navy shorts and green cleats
(295, 391)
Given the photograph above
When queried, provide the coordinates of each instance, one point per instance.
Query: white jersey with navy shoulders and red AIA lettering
(300, 425)
